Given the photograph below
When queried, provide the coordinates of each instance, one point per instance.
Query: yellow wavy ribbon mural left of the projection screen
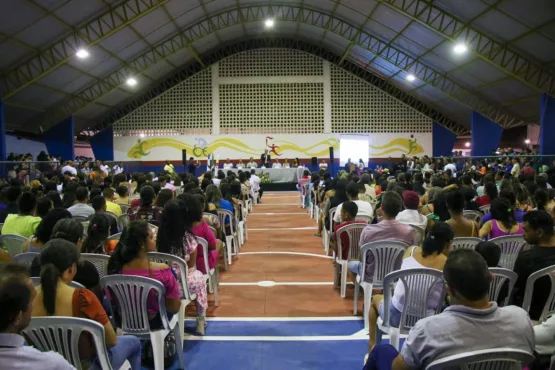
(203, 149)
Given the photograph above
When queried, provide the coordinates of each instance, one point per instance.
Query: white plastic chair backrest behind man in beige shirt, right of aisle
(388, 257)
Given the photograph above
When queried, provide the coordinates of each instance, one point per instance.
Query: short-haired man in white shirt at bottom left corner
(17, 293)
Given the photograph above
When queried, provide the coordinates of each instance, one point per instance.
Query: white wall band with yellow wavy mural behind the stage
(283, 146)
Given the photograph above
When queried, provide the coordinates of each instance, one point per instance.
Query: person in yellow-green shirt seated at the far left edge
(24, 223)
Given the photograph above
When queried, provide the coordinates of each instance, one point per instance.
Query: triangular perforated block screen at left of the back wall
(184, 109)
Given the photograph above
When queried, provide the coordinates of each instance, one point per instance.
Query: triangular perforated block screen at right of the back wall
(358, 107)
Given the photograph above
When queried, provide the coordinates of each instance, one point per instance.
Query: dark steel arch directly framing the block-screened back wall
(238, 47)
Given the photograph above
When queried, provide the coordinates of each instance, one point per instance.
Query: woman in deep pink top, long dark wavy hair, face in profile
(130, 258)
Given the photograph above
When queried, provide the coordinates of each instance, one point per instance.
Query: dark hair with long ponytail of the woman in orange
(57, 256)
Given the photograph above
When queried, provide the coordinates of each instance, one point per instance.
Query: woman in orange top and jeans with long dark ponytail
(55, 297)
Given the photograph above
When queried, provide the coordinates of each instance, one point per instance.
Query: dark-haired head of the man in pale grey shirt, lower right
(467, 275)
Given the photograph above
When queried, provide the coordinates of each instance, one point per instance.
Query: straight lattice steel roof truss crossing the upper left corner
(60, 52)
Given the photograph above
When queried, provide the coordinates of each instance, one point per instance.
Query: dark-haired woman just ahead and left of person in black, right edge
(503, 220)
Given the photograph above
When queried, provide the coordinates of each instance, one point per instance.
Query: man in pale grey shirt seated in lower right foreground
(470, 323)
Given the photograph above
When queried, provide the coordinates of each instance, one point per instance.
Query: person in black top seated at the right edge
(538, 232)
